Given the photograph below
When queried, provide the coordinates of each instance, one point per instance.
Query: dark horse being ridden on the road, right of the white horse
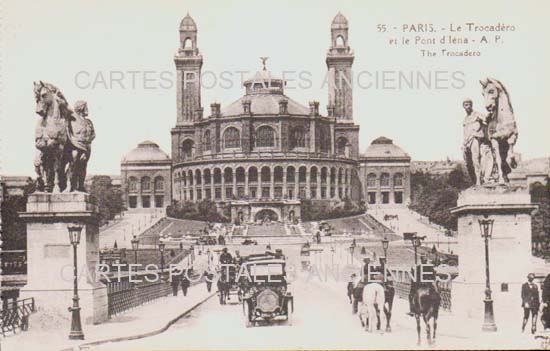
(425, 303)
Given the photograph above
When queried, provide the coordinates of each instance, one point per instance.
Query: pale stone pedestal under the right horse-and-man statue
(509, 252)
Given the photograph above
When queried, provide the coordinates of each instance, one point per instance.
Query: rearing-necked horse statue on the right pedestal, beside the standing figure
(501, 126)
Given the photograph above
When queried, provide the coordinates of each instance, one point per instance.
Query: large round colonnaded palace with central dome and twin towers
(264, 146)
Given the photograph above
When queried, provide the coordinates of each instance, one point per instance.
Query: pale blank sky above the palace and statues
(78, 45)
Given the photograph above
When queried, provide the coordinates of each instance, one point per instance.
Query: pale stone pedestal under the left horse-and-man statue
(50, 255)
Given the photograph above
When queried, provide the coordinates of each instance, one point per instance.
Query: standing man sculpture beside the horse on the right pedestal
(476, 147)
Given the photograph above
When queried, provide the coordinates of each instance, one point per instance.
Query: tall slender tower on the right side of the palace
(339, 61)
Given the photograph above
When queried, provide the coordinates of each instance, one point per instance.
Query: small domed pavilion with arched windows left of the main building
(146, 177)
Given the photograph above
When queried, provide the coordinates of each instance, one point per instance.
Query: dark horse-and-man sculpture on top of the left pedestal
(63, 139)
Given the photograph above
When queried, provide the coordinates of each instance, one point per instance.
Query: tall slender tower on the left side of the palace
(188, 62)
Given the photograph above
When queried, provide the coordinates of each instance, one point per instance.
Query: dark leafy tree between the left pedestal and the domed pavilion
(109, 198)
